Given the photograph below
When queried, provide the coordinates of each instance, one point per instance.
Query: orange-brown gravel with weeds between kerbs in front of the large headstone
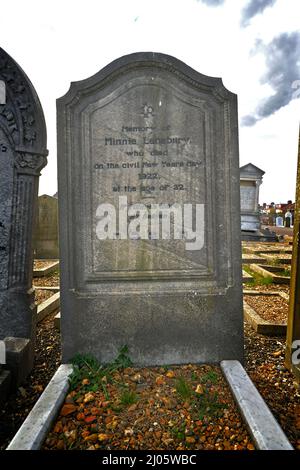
(174, 408)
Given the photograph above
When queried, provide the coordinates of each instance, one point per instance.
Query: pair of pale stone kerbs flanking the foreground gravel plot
(264, 429)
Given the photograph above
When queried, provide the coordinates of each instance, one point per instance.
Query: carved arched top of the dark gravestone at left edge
(21, 116)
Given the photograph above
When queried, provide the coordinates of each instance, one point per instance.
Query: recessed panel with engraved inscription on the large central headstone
(153, 156)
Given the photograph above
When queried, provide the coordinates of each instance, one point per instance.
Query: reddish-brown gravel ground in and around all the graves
(165, 408)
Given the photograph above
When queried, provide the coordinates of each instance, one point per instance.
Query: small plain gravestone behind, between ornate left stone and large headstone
(46, 230)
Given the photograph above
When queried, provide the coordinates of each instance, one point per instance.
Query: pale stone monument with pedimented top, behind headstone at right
(251, 178)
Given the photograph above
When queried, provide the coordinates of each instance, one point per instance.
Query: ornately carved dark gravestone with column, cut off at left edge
(22, 156)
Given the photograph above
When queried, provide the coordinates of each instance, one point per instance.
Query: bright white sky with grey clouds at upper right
(253, 45)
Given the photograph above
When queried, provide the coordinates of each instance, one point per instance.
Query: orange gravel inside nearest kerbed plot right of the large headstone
(273, 309)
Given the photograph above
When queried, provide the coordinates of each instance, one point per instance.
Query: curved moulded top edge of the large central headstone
(143, 61)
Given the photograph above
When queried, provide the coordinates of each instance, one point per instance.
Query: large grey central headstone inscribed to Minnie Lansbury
(149, 130)
